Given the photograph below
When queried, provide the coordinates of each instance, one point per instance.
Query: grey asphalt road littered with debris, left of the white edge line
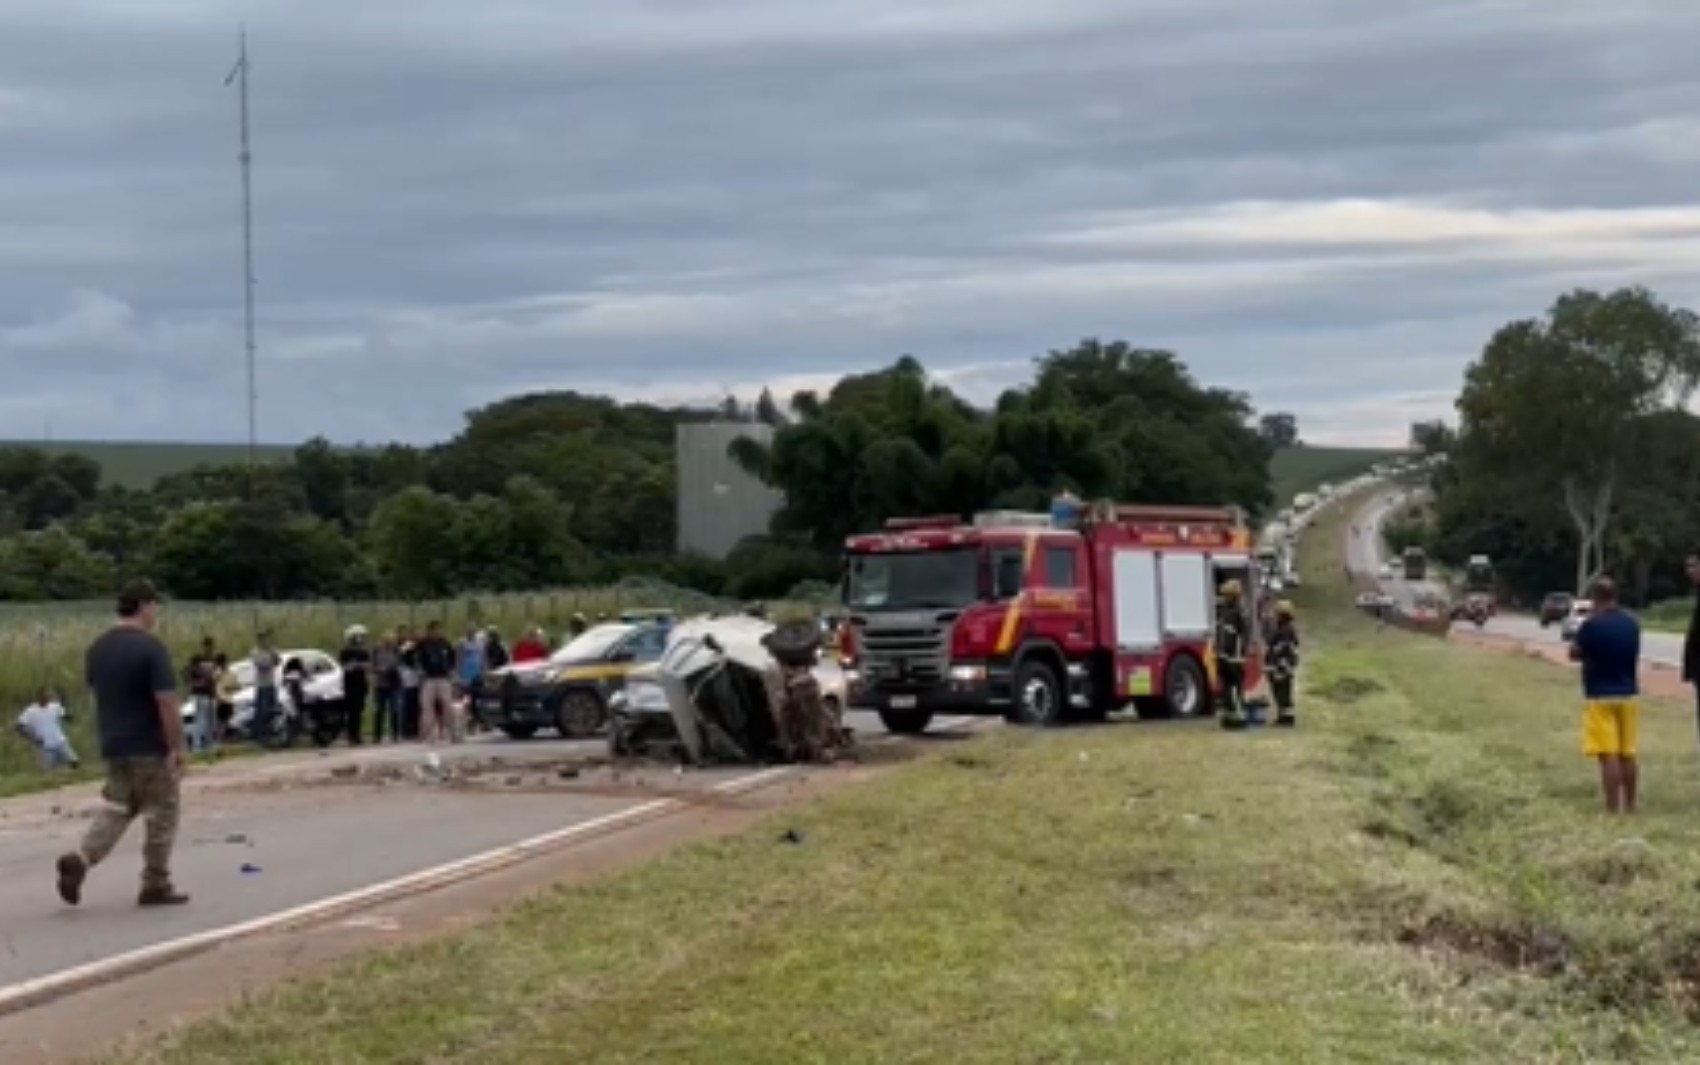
(269, 836)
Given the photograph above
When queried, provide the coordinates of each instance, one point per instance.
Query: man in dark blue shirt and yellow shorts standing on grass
(1609, 649)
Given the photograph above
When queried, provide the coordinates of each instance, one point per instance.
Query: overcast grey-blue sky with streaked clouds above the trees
(1325, 203)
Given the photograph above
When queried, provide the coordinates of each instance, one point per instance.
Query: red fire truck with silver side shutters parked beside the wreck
(1043, 618)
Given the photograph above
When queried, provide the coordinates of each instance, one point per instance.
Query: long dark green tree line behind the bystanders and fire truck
(562, 489)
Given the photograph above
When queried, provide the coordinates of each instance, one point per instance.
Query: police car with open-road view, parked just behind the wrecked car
(570, 690)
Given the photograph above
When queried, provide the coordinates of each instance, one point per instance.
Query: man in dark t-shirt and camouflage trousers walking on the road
(142, 743)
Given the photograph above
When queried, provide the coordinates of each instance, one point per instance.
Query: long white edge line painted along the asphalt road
(116, 967)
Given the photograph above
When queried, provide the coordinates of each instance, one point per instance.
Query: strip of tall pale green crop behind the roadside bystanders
(42, 646)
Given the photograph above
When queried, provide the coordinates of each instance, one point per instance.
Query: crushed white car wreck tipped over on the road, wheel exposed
(732, 690)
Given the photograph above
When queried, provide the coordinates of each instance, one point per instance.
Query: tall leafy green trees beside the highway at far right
(1575, 453)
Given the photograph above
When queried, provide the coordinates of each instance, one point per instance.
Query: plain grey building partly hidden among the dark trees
(718, 501)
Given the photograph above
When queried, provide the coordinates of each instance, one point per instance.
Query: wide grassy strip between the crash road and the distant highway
(1419, 874)
